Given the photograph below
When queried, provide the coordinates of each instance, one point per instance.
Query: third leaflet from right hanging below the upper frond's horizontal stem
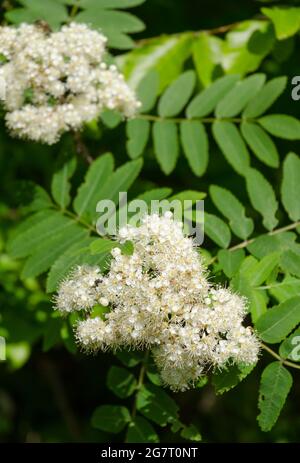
(232, 145)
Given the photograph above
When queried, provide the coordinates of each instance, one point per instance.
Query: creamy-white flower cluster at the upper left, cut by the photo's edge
(57, 81)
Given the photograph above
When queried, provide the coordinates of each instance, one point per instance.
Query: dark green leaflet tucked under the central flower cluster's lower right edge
(228, 378)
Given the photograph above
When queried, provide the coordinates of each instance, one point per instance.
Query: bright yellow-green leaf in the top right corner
(286, 20)
